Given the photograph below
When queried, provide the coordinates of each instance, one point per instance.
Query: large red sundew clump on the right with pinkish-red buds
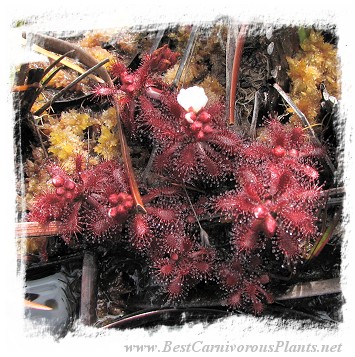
(277, 196)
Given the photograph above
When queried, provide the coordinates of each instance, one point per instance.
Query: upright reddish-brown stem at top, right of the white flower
(239, 45)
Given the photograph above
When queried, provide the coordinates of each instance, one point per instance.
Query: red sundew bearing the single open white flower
(193, 141)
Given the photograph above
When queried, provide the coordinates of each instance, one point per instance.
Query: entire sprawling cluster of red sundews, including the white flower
(271, 195)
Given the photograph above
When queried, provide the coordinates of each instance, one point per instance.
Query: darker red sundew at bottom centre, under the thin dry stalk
(177, 260)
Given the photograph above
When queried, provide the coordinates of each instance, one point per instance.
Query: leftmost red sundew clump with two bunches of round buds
(94, 200)
